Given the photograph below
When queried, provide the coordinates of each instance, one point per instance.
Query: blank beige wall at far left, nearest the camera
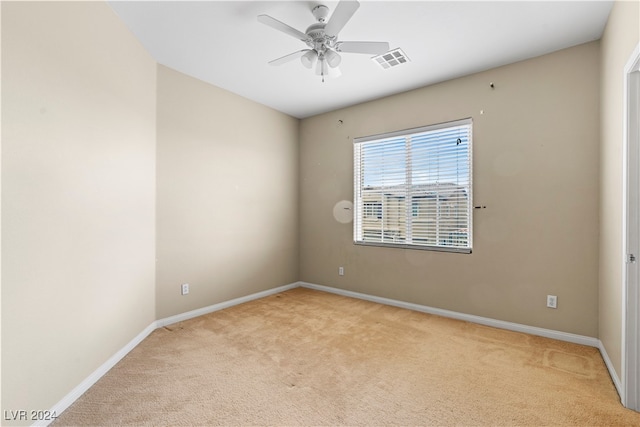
(78, 168)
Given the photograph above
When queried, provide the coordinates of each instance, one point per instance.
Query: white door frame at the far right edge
(631, 235)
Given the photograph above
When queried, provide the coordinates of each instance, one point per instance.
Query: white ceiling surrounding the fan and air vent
(222, 43)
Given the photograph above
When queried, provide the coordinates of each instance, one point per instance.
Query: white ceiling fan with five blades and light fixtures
(322, 39)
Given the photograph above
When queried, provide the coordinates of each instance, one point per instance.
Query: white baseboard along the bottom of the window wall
(548, 333)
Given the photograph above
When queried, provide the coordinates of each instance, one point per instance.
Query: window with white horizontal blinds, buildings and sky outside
(413, 188)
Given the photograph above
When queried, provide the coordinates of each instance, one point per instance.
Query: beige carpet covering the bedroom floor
(304, 357)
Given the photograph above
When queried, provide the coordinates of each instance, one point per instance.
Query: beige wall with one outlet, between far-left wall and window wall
(227, 204)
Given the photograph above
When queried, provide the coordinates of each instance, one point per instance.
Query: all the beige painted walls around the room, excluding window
(84, 150)
